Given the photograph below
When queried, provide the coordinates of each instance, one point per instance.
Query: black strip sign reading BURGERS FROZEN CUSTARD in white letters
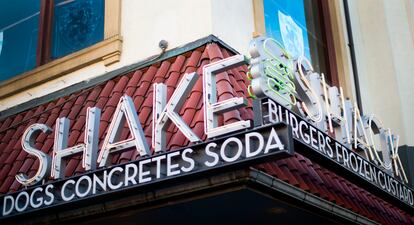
(327, 147)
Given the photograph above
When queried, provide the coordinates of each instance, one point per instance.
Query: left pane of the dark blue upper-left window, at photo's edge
(19, 25)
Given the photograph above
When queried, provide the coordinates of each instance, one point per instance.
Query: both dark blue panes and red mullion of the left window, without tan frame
(35, 32)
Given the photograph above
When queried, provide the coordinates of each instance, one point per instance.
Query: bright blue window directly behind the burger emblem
(297, 25)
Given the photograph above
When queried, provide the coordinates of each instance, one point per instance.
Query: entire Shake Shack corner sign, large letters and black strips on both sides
(299, 97)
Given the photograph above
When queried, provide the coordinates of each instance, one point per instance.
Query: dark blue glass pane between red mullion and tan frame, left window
(77, 24)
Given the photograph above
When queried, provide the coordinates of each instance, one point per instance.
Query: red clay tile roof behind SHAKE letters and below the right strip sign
(298, 170)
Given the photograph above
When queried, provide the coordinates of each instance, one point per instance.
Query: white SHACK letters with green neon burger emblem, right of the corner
(298, 88)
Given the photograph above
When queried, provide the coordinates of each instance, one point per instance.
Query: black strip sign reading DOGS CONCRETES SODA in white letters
(253, 146)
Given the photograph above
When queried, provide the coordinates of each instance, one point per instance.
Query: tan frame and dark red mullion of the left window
(107, 51)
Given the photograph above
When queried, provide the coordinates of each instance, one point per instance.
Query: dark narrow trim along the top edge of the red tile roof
(109, 75)
